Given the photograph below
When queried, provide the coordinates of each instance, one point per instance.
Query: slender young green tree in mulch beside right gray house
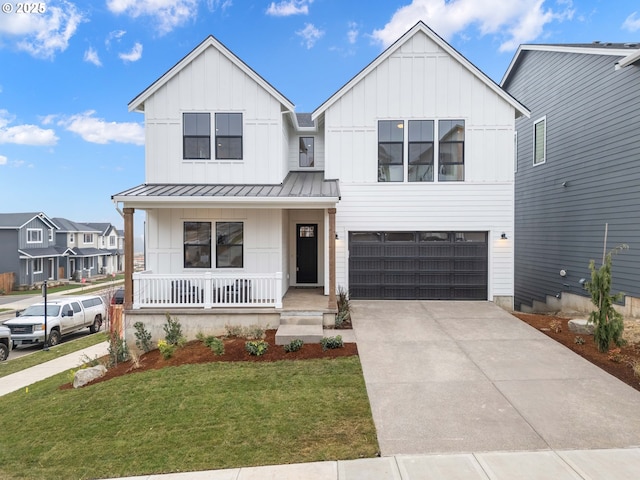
(609, 324)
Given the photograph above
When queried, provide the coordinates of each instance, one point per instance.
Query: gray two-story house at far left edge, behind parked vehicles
(28, 248)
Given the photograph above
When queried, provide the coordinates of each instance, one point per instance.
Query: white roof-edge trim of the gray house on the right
(629, 51)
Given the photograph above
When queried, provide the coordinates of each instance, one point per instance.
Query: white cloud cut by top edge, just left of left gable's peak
(168, 14)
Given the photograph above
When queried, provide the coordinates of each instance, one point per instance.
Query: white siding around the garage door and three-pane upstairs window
(421, 81)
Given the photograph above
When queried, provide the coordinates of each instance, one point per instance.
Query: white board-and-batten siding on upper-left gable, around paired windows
(212, 83)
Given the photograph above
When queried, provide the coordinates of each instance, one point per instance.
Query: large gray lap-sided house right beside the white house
(577, 169)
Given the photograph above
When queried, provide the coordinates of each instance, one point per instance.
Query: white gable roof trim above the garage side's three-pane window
(421, 27)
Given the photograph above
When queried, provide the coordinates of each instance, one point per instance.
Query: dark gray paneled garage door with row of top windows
(418, 265)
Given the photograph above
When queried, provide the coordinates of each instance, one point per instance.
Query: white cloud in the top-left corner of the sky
(43, 35)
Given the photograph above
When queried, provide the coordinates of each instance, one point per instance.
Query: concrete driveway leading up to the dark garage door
(445, 377)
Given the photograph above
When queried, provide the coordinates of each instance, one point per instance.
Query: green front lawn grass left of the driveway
(188, 418)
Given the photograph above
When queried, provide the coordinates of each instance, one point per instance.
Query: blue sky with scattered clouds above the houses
(68, 69)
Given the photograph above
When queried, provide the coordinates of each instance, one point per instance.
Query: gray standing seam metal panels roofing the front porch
(297, 185)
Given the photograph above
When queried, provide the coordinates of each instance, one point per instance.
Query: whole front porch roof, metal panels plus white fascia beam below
(303, 189)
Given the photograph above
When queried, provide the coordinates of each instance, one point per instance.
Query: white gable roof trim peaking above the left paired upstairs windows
(137, 104)
